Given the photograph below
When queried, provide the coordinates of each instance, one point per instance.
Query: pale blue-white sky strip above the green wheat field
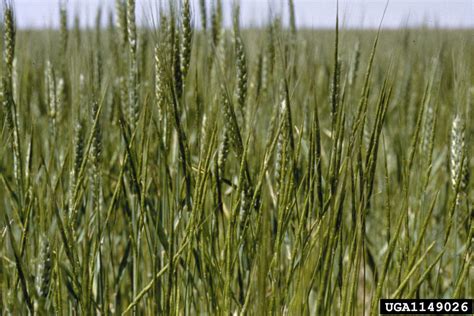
(309, 13)
